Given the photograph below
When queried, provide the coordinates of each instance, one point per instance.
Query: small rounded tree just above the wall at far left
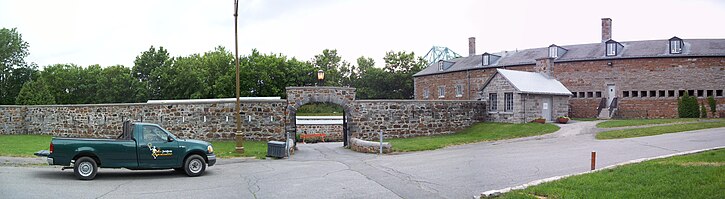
(35, 93)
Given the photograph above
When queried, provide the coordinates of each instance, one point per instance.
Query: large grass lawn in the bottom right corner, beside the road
(700, 175)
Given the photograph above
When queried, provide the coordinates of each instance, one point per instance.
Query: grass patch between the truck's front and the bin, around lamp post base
(227, 149)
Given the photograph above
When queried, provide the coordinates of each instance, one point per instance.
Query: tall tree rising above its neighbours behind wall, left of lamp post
(145, 64)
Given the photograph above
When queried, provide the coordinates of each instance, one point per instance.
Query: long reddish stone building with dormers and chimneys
(633, 79)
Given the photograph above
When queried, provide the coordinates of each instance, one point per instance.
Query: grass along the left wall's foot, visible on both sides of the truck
(26, 145)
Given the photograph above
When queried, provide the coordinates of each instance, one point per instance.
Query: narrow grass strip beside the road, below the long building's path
(656, 130)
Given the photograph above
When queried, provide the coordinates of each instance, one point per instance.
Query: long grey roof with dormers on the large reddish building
(585, 52)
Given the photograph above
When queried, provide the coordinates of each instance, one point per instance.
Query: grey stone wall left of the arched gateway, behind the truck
(262, 119)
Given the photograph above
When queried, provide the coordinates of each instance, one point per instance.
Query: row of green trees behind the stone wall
(157, 75)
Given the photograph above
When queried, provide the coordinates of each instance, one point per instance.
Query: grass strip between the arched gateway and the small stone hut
(477, 133)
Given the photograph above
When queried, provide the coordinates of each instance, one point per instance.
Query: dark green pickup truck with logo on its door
(141, 146)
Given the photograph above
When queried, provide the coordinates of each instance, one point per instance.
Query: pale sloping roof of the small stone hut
(530, 82)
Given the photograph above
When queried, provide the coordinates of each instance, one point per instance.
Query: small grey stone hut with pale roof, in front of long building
(519, 97)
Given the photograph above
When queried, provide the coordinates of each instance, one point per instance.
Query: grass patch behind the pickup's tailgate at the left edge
(23, 145)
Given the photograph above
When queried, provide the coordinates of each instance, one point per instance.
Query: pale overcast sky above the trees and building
(115, 32)
